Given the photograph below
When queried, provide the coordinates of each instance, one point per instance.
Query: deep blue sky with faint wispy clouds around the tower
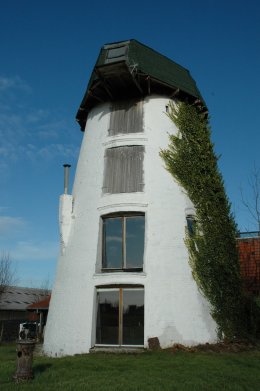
(48, 50)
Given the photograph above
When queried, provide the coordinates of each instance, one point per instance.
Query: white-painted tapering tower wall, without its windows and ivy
(174, 309)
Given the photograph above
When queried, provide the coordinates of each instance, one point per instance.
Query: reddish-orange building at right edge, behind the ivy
(249, 256)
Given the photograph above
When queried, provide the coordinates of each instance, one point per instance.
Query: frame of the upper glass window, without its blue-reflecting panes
(123, 216)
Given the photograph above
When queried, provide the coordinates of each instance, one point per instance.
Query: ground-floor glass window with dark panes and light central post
(120, 316)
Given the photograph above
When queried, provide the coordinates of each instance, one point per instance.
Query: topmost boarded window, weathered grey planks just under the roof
(126, 117)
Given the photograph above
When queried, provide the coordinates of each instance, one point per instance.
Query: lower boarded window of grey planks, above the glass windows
(124, 169)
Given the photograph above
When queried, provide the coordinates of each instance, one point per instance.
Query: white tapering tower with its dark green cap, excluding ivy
(123, 275)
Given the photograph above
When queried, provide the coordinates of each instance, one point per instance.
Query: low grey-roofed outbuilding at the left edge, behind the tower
(13, 308)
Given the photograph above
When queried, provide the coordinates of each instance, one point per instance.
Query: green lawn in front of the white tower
(155, 371)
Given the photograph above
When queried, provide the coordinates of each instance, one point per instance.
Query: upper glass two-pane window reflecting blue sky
(123, 242)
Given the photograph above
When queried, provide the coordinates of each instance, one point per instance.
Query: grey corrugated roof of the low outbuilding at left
(17, 299)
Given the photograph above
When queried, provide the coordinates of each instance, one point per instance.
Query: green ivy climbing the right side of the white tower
(213, 256)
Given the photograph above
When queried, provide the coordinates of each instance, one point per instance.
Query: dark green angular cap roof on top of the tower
(130, 69)
